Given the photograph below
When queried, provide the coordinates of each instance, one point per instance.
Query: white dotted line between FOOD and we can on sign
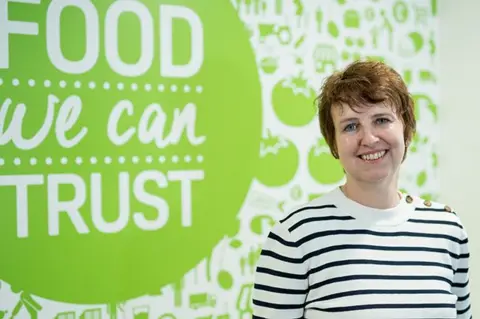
(120, 86)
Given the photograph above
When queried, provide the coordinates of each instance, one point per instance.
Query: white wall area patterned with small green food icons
(297, 43)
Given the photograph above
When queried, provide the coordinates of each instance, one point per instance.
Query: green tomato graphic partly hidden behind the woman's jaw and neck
(323, 167)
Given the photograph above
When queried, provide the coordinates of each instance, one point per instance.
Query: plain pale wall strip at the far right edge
(459, 158)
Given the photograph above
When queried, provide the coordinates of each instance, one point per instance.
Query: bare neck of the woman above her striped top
(375, 195)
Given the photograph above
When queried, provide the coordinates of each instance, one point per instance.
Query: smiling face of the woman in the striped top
(370, 144)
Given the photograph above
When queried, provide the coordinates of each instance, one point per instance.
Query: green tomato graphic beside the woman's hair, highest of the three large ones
(292, 101)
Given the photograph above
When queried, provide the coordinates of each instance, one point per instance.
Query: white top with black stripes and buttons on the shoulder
(334, 258)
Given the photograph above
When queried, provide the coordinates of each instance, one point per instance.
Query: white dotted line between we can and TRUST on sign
(78, 160)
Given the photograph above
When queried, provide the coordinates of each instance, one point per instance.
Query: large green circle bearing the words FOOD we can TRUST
(87, 262)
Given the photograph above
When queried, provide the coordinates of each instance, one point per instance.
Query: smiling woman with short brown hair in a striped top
(365, 250)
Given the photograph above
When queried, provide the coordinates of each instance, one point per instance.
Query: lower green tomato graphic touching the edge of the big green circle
(279, 160)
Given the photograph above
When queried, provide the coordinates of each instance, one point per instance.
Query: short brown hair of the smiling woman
(364, 83)
